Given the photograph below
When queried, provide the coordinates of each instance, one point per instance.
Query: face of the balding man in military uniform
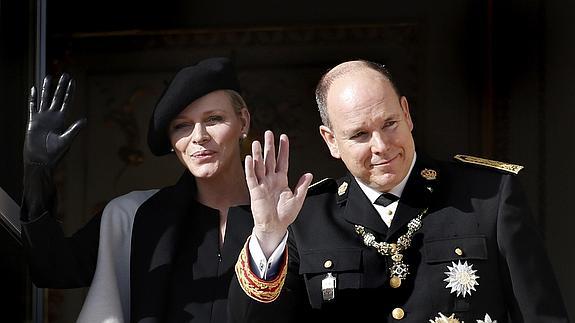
(370, 129)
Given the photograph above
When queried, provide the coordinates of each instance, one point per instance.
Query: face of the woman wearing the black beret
(205, 135)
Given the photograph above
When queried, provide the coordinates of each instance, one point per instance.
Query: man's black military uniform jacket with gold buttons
(476, 217)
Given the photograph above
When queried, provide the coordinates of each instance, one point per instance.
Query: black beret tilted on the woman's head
(189, 84)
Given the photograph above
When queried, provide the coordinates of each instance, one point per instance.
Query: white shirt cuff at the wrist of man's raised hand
(265, 268)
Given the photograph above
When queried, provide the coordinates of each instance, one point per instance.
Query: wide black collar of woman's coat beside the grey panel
(154, 237)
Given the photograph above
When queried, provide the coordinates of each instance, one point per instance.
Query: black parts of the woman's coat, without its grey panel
(178, 272)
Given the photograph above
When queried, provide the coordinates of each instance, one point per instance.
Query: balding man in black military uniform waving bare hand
(400, 238)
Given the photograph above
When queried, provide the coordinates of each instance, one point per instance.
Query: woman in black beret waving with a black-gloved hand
(159, 255)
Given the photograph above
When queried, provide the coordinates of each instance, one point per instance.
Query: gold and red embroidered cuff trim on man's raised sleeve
(264, 291)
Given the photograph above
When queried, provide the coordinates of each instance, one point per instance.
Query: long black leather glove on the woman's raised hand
(45, 142)
